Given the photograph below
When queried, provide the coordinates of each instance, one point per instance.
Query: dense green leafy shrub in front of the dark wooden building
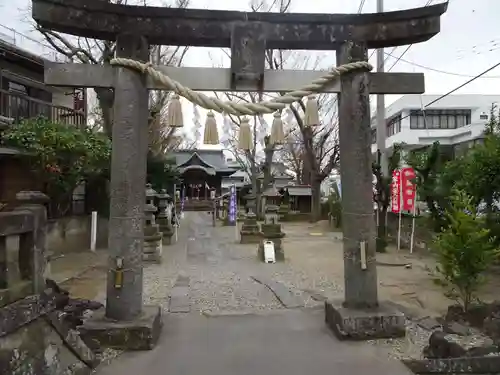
(61, 156)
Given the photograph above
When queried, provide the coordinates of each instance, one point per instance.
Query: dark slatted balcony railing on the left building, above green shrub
(19, 106)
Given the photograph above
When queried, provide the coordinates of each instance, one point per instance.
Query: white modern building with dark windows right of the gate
(455, 120)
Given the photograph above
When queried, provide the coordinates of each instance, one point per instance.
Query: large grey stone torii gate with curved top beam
(248, 35)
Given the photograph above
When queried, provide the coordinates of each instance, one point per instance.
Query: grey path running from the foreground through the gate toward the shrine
(248, 331)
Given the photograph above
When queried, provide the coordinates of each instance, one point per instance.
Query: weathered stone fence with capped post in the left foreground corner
(34, 340)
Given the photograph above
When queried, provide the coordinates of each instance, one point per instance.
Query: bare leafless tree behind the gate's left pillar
(98, 52)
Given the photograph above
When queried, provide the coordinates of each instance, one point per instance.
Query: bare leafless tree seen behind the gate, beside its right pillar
(312, 153)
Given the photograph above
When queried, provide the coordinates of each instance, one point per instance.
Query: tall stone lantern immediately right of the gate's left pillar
(152, 236)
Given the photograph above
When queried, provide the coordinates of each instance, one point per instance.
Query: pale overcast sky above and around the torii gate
(468, 44)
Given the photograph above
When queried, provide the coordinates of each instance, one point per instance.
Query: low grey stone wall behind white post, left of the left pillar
(73, 234)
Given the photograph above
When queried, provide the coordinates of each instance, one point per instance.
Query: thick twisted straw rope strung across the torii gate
(238, 109)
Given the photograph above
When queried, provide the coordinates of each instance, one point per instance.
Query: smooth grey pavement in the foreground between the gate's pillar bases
(293, 342)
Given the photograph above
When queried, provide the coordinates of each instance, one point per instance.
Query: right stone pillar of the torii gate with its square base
(361, 315)
